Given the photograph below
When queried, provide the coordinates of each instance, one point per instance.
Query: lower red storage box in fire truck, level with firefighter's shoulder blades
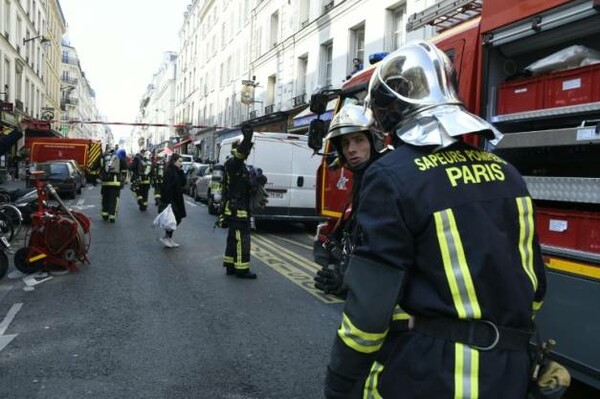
(569, 229)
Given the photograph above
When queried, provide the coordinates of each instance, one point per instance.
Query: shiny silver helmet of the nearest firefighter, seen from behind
(413, 94)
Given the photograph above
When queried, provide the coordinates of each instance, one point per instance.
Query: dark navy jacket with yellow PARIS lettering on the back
(443, 234)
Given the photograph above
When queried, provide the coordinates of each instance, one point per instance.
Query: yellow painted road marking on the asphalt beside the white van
(292, 266)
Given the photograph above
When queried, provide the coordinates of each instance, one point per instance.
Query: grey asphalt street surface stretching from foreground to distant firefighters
(142, 321)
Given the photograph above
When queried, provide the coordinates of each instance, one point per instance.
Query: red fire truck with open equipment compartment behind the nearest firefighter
(551, 124)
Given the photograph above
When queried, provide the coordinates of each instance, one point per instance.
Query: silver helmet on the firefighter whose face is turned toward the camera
(354, 118)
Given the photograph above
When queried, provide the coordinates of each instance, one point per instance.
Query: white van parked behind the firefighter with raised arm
(291, 171)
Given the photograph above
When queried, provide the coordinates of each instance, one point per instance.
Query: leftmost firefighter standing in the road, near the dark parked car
(113, 172)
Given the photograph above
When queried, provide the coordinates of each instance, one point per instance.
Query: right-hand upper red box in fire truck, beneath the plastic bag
(574, 86)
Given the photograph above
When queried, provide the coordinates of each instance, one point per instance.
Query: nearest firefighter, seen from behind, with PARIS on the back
(448, 234)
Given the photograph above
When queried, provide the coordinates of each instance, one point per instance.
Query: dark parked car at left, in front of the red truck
(62, 175)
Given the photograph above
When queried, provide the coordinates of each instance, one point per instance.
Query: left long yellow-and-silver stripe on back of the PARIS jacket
(456, 267)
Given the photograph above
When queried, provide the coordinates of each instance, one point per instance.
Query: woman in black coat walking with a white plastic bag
(172, 193)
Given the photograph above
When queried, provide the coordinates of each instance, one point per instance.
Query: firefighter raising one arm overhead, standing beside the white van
(236, 208)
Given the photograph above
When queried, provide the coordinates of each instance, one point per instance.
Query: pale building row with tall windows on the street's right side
(273, 54)
